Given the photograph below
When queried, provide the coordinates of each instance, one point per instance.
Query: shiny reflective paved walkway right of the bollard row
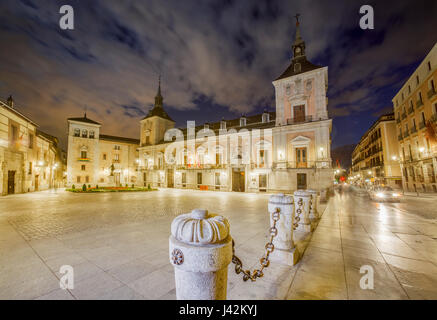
(401, 249)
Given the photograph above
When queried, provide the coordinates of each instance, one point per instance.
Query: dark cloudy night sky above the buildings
(217, 58)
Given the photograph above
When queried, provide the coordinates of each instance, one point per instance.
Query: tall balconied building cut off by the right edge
(415, 108)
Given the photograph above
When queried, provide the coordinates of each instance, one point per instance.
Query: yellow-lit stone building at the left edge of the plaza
(30, 160)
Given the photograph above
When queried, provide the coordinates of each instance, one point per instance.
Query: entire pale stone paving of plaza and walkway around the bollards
(118, 246)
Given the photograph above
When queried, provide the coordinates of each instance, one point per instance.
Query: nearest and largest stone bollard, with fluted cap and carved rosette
(200, 251)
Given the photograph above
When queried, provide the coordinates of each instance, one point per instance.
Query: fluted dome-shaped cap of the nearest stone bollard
(200, 228)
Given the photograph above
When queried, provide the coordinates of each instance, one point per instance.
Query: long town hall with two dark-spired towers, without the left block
(274, 151)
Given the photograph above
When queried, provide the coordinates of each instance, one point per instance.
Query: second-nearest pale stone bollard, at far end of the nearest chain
(285, 250)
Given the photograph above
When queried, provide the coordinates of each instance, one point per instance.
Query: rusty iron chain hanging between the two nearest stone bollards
(264, 261)
